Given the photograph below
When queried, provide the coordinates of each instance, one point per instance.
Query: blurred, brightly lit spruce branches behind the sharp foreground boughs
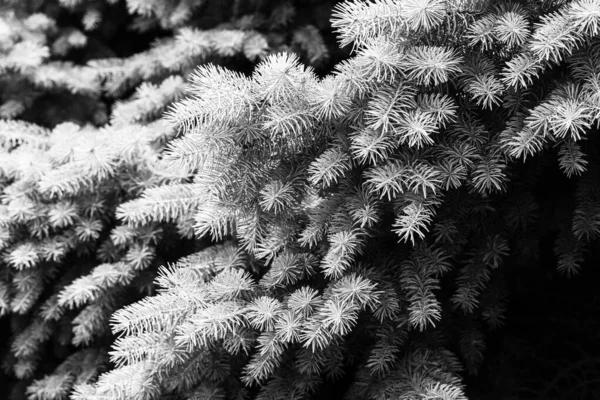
(89, 209)
